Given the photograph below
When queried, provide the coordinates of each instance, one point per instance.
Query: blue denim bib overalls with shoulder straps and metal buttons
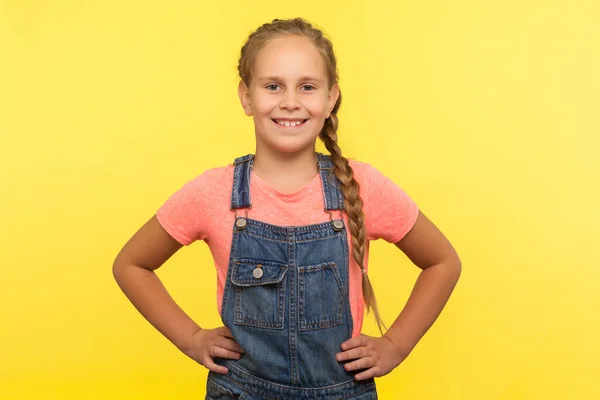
(286, 303)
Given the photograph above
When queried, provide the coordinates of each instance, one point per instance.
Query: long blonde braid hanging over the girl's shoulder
(354, 208)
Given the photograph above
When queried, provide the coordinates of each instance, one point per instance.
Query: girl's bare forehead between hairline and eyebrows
(289, 57)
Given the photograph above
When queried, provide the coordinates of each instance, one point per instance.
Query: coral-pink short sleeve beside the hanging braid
(390, 213)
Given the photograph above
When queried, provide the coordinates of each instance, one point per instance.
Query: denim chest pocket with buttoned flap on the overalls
(259, 293)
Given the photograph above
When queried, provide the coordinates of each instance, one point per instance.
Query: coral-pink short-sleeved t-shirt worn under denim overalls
(200, 210)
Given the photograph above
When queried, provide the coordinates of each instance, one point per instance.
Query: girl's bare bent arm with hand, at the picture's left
(133, 270)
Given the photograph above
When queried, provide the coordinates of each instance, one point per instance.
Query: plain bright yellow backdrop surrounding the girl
(485, 112)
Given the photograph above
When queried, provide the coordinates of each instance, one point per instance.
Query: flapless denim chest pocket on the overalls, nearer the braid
(321, 296)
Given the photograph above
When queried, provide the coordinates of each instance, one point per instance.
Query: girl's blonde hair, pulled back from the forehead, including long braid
(342, 170)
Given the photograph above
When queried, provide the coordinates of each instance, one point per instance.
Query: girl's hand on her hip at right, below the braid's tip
(377, 355)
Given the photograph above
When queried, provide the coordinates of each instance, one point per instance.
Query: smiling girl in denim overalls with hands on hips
(289, 230)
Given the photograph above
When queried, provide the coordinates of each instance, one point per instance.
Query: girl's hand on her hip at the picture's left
(209, 343)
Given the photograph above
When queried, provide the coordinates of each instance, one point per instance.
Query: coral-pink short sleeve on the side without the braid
(181, 215)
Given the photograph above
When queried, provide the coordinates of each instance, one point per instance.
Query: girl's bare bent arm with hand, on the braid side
(428, 249)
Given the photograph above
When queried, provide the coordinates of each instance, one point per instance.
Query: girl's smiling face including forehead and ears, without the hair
(289, 96)
